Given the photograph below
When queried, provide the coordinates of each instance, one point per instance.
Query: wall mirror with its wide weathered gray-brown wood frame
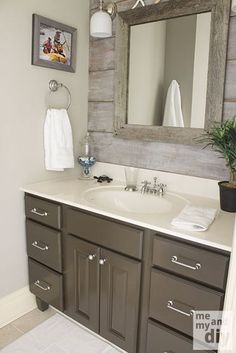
(170, 69)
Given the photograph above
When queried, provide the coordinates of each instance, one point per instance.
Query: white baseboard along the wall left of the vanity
(16, 305)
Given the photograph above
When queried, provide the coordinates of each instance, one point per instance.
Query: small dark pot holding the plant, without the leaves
(227, 197)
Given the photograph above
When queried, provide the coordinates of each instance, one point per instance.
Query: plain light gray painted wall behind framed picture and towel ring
(23, 92)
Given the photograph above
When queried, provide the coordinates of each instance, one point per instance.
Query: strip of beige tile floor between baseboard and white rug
(24, 324)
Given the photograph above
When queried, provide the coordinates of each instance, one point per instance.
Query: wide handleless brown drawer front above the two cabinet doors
(112, 235)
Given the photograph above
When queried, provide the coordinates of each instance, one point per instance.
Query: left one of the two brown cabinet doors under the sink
(82, 282)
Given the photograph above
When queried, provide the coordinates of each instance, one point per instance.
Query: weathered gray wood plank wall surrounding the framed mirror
(175, 158)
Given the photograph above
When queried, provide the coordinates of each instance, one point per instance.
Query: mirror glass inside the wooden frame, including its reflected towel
(168, 69)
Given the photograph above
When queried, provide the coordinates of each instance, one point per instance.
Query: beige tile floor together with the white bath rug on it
(50, 332)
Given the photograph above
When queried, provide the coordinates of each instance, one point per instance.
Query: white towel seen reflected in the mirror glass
(173, 115)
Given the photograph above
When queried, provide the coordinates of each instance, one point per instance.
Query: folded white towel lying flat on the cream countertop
(197, 219)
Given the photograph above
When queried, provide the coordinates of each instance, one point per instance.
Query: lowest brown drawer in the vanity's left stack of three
(46, 284)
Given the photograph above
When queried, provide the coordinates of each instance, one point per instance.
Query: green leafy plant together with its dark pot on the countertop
(222, 139)
